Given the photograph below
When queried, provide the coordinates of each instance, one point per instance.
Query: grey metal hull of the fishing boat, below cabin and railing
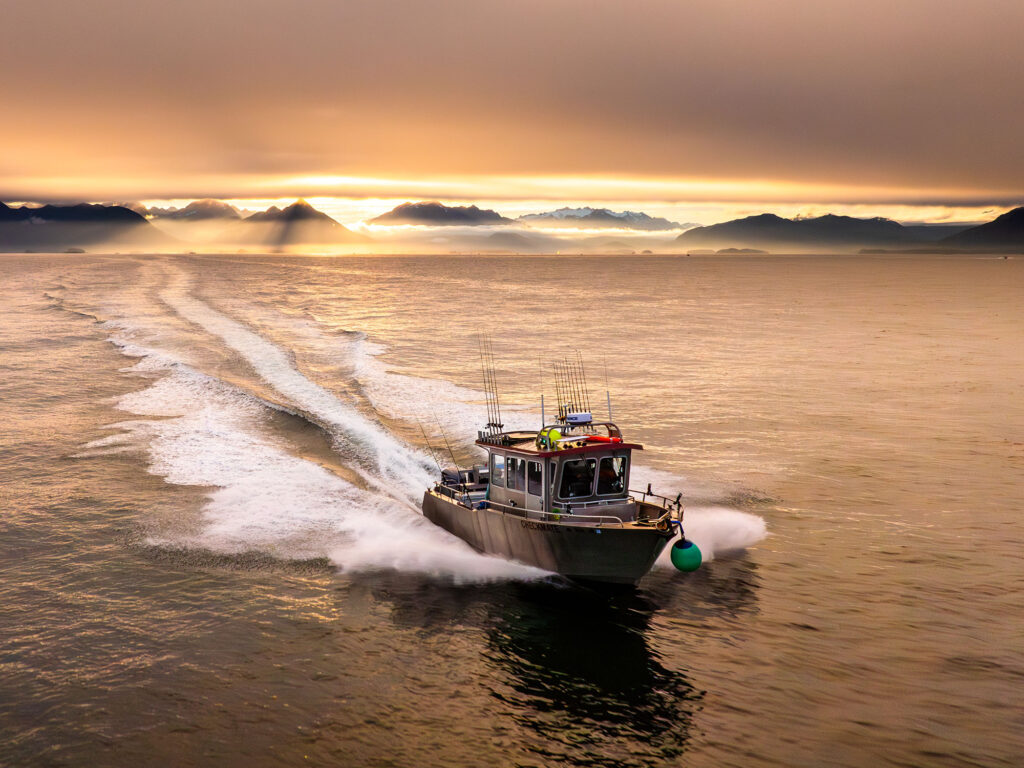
(584, 552)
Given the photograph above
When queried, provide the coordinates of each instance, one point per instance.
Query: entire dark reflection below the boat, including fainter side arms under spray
(572, 670)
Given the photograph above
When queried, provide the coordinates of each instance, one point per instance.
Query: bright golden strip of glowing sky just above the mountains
(354, 200)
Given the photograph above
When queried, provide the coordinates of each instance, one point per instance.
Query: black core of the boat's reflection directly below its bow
(581, 674)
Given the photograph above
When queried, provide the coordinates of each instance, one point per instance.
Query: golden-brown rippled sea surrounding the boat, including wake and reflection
(212, 552)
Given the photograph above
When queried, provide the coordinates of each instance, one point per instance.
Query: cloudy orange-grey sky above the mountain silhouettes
(695, 110)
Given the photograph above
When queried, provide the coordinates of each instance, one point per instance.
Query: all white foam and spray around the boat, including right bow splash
(199, 430)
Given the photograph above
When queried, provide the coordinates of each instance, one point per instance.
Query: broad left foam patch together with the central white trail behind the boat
(199, 431)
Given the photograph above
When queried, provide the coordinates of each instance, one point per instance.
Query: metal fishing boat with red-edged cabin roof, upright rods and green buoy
(559, 498)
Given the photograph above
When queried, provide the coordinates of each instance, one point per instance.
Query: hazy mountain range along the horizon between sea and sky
(211, 223)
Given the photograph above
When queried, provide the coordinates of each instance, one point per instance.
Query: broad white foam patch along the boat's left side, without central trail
(198, 431)
